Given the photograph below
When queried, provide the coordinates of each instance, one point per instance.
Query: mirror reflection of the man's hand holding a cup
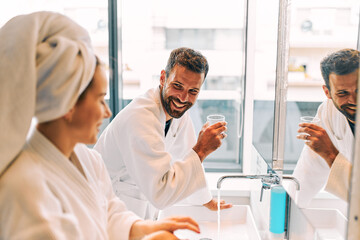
(319, 141)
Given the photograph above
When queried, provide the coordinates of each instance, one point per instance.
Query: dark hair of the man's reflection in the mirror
(342, 62)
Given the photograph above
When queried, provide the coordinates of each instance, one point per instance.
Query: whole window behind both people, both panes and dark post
(147, 31)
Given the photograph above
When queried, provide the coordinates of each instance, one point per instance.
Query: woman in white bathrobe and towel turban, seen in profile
(52, 186)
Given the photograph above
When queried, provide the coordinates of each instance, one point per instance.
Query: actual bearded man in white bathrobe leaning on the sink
(150, 148)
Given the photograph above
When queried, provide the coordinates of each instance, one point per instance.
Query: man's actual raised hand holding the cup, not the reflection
(210, 139)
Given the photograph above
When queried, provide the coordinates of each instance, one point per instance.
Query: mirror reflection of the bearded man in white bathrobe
(326, 159)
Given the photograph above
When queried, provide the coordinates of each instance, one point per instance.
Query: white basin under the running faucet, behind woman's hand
(236, 222)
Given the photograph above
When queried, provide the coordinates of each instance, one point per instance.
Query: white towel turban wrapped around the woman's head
(46, 61)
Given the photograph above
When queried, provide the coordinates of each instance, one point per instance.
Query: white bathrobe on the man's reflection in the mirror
(313, 172)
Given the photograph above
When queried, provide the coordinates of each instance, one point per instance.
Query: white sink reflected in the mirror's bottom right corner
(327, 223)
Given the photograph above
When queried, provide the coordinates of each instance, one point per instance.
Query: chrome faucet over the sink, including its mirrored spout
(267, 180)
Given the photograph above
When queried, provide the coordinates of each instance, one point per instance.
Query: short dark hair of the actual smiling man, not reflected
(188, 58)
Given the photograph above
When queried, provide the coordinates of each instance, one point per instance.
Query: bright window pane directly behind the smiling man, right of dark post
(217, 30)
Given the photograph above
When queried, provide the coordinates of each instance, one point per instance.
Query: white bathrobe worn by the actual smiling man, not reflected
(148, 169)
